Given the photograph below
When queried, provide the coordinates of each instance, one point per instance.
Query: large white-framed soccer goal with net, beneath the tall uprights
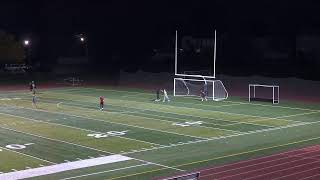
(214, 89)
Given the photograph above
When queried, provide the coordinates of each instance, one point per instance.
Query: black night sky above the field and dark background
(130, 28)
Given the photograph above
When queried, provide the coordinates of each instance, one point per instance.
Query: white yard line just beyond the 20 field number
(112, 122)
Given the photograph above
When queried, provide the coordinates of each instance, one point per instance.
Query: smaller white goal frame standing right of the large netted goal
(275, 92)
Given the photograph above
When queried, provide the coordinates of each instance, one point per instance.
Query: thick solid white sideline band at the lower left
(29, 173)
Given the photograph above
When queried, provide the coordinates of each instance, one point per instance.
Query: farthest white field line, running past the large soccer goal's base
(286, 107)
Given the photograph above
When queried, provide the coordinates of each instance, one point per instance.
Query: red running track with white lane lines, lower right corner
(297, 164)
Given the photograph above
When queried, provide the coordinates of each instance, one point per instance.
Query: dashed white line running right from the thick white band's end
(224, 137)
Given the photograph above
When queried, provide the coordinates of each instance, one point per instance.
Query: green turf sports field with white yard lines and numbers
(137, 138)
